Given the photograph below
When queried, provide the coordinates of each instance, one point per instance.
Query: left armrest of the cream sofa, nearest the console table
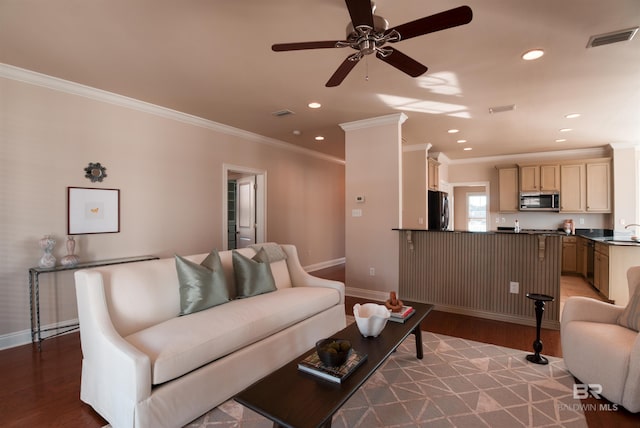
(116, 375)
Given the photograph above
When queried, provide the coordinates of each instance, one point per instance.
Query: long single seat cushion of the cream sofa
(180, 345)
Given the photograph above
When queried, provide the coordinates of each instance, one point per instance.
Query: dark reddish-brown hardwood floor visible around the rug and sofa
(42, 389)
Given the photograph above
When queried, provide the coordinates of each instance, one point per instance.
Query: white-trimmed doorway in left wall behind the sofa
(243, 206)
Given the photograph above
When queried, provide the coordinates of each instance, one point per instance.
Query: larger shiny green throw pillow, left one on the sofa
(201, 285)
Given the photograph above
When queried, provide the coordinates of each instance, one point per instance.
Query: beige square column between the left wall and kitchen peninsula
(373, 169)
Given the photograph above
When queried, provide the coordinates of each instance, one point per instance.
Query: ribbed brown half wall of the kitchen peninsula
(472, 272)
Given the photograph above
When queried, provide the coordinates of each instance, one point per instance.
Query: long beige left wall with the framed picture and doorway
(168, 168)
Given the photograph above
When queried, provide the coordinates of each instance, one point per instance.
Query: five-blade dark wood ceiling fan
(368, 33)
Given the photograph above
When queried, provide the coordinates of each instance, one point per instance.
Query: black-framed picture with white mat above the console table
(93, 210)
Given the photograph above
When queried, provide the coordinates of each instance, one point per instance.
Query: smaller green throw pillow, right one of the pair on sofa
(253, 276)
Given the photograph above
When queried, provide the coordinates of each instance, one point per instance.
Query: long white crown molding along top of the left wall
(34, 78)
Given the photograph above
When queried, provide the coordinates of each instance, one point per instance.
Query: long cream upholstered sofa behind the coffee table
(145, 366)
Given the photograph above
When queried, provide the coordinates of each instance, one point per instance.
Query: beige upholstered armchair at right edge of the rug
(598, 350)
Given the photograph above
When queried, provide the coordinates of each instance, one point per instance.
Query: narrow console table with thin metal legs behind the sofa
(34, 293)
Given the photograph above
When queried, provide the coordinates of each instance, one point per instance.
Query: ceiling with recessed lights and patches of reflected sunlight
(212, 59)
